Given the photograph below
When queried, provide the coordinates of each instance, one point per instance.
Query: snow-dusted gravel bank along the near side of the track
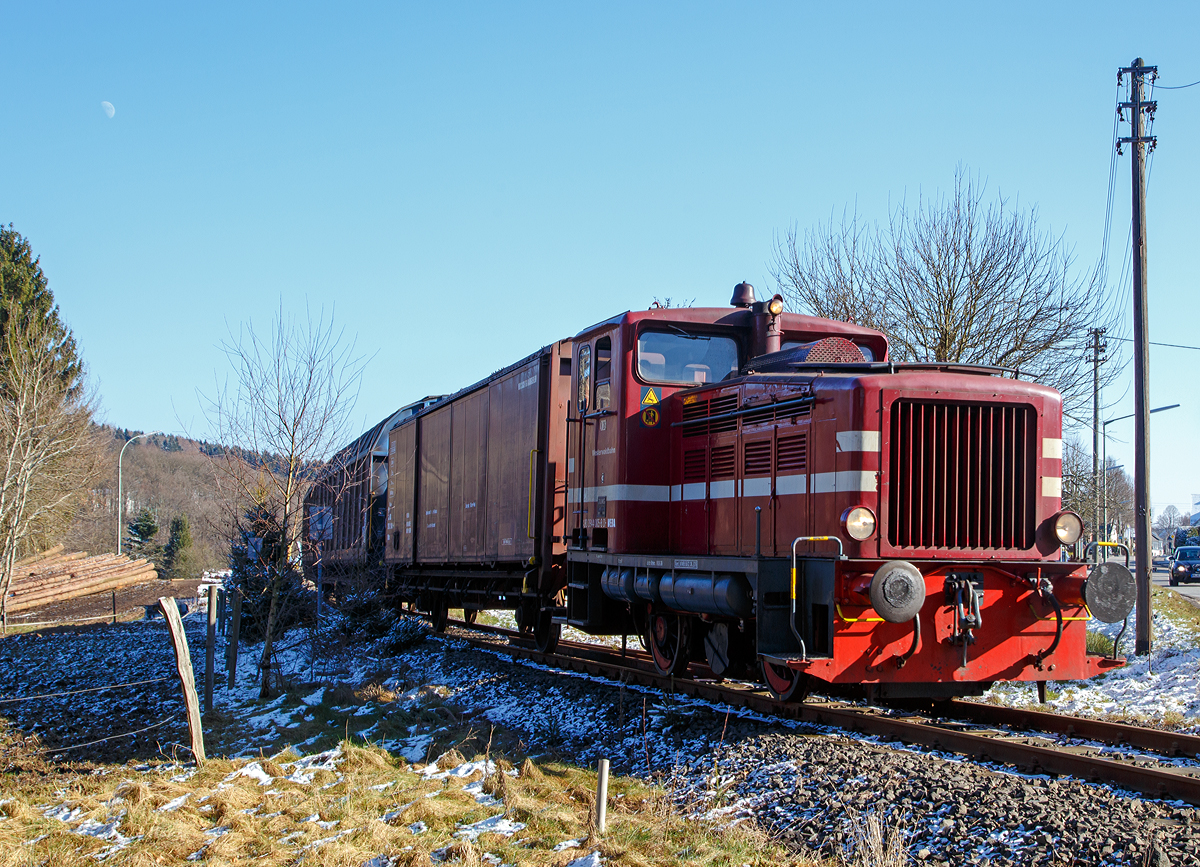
(814, 786)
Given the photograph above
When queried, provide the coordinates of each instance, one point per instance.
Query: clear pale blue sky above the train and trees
(467, 182)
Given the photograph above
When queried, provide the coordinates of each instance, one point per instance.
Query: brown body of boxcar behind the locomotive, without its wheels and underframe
(476, 481)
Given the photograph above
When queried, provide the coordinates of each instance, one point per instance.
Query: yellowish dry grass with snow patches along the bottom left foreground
(373, 805)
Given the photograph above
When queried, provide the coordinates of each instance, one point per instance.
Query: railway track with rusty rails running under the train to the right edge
(1150, 762)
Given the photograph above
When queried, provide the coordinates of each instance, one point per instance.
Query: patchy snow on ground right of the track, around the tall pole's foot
(1163, 687)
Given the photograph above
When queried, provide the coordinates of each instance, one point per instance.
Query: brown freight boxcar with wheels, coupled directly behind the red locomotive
(476, 497)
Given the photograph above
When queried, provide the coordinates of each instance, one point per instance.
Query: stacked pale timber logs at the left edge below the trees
(55, 577)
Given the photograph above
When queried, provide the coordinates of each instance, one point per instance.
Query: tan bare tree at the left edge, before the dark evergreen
(49, 450)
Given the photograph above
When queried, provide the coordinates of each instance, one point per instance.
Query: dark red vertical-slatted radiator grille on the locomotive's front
(963, 476)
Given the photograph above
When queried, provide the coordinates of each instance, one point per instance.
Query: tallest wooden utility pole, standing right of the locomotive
(1139, 109)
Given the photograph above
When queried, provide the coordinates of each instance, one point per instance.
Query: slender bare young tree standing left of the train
(284, 411)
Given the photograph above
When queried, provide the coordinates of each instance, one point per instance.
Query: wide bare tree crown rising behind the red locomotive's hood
(959, 280)
